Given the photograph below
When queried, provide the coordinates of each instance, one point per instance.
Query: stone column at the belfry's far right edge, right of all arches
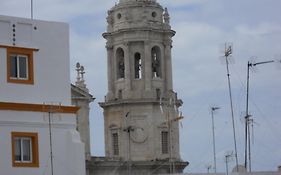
(168, 65)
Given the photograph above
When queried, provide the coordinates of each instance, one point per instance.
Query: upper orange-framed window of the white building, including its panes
(20, 65)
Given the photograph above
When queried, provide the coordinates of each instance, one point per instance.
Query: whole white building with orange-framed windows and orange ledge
(37, 122)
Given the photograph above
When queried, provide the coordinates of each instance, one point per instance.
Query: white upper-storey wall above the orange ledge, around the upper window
(51, 62)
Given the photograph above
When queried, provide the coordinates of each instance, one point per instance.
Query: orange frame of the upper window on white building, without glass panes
(28, 53)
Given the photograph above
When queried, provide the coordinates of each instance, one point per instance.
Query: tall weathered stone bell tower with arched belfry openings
(141, 108)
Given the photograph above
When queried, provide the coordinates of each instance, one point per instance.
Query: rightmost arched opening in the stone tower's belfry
(156, 62)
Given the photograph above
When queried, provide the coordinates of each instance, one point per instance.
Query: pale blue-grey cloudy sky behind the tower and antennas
(202, 26)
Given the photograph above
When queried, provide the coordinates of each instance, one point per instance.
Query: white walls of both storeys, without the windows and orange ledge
(51, 85)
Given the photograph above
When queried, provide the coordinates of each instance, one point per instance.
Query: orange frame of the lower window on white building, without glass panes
(34, 154)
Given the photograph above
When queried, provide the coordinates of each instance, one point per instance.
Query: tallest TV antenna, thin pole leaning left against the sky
(228, 50)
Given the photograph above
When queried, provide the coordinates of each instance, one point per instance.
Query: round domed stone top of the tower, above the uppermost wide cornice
(129, 14)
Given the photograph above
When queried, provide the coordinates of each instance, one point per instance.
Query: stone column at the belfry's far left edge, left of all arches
(110, 72)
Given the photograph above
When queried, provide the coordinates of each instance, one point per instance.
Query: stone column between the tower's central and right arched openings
(147, 66)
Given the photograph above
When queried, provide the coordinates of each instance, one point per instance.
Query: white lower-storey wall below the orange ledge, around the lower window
(68, 150)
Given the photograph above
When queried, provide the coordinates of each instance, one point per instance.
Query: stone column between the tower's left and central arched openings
(127, 67)
